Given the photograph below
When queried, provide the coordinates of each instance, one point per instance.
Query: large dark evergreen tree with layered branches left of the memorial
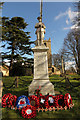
(15, 40)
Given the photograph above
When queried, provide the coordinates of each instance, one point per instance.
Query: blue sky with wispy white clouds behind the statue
(57, 17)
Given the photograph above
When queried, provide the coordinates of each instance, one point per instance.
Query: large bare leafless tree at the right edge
(71, 44)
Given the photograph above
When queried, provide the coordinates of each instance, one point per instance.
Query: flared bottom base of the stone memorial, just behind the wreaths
(46, 87)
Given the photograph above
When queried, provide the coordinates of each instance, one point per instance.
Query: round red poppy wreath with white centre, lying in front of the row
(28, 111)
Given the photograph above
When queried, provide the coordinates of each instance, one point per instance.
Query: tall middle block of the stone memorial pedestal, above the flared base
(40, 64)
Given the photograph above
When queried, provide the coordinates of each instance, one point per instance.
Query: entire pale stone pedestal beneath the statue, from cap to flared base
(41, 72)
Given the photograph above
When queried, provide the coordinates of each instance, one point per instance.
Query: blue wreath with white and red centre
(22, 101)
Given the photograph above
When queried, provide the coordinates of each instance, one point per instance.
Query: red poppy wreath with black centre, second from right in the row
(59, 101)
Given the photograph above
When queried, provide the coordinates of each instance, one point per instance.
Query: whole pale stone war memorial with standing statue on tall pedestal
(41, 77)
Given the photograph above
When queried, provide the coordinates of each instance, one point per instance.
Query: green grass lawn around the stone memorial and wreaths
(23, 83)
